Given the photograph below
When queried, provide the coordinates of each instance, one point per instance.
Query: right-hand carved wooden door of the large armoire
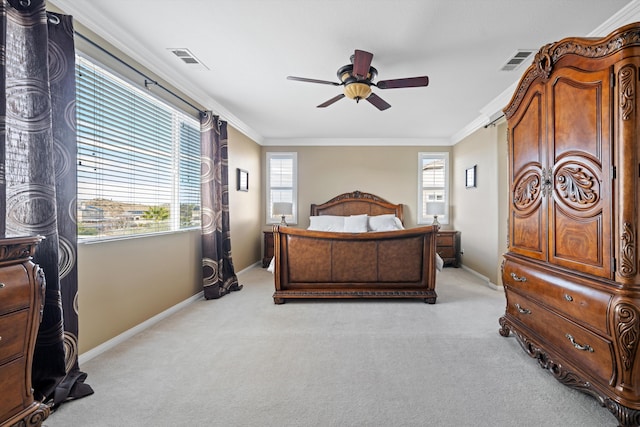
(578, 177)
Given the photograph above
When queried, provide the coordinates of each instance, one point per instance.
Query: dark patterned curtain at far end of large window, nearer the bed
(218, 275)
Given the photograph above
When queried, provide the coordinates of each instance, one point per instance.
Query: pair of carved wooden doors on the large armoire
(560, 142)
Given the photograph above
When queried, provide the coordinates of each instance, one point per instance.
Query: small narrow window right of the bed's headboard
(433, 187)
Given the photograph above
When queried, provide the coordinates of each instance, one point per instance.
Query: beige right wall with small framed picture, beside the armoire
(478, 212)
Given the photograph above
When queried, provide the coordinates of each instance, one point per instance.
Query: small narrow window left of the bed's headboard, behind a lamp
(282, 177)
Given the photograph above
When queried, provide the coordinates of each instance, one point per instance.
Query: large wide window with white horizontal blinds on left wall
(138, 159)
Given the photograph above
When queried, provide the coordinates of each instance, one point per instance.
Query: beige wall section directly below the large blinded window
(122, 283)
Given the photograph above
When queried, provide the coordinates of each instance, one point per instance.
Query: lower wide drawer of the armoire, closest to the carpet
(583, 348)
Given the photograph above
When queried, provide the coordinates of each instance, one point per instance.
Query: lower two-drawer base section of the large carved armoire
(576, 327)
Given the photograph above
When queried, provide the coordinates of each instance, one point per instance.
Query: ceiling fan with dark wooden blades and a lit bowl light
(357, 79)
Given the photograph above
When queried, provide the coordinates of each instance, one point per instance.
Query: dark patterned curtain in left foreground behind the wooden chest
(38, 178)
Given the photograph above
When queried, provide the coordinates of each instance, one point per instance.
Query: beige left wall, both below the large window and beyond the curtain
(122, 283)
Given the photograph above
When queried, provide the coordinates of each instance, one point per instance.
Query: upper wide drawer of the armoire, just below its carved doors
(584, 304)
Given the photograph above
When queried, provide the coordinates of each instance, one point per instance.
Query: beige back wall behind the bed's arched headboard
(325, 172)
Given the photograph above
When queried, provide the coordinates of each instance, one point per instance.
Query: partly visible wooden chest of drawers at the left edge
(21, 298)
